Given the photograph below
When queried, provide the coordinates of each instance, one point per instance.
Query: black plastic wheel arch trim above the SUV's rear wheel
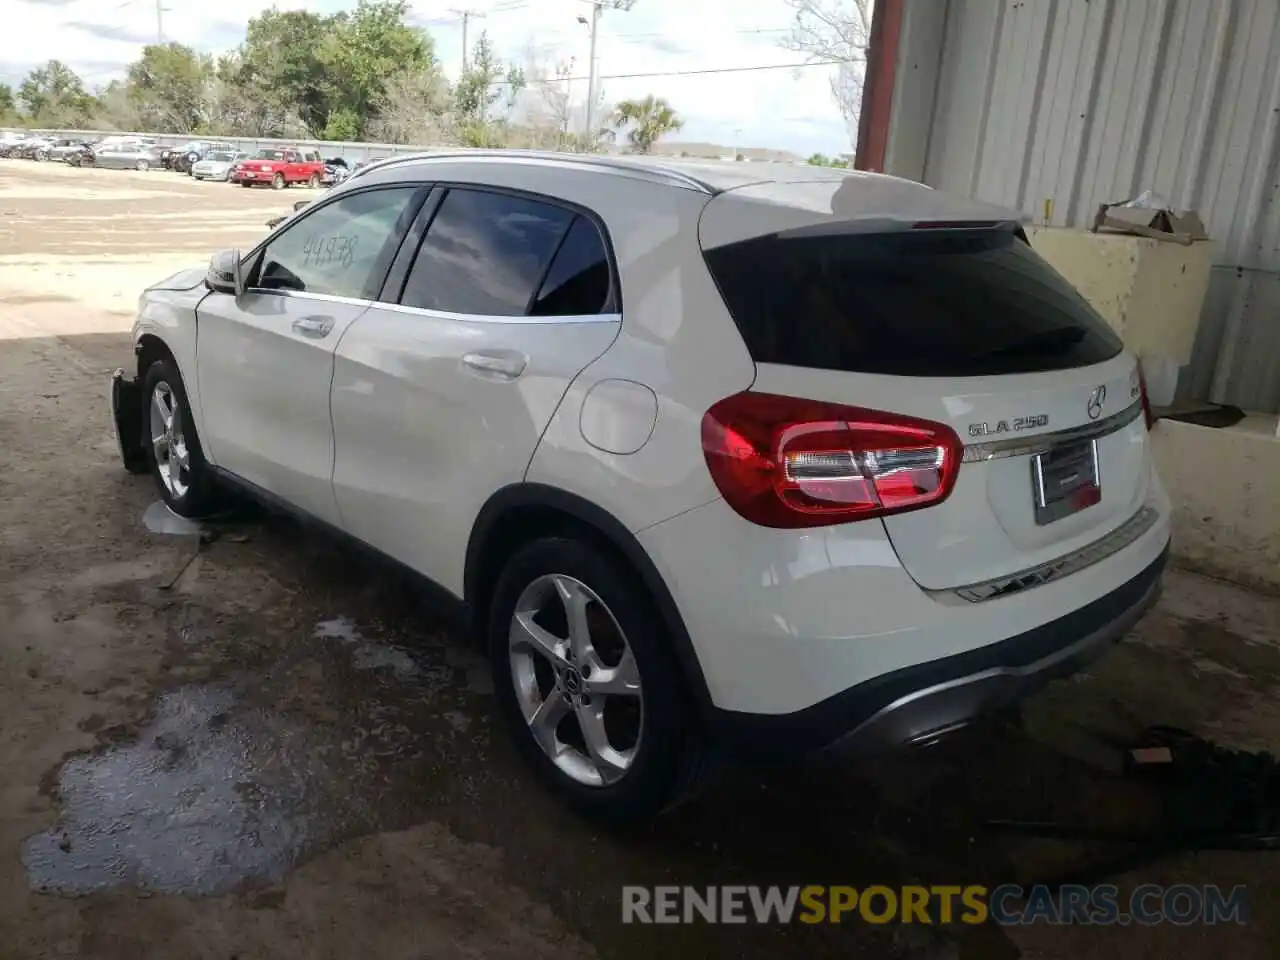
(523, 513)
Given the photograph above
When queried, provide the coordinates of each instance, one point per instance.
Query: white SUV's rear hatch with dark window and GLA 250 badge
(961, 324)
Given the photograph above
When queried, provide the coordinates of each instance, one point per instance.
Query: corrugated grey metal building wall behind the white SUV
(1089, 102)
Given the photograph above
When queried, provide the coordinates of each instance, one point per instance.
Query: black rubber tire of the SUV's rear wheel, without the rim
(669, 764)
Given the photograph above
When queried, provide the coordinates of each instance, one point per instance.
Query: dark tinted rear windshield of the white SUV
(934, 303)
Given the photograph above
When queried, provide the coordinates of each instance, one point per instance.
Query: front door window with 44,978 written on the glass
(341, 249)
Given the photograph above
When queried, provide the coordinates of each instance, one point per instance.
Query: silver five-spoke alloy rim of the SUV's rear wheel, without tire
(577, 680)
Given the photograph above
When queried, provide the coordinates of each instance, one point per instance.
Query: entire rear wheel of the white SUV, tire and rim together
(588, 682)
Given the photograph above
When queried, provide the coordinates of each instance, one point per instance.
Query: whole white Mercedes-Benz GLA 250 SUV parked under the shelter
(719, 460)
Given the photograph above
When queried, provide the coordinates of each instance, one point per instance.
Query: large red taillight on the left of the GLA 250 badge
(790, 463)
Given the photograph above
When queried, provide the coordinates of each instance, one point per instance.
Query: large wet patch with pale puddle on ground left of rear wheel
(241, 781)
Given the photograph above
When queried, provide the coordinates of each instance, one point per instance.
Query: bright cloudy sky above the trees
(789, 109)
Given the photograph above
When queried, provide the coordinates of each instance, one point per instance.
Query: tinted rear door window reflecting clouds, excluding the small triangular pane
(486, 254)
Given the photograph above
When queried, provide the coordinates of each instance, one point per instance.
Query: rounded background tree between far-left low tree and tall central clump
(170, 86)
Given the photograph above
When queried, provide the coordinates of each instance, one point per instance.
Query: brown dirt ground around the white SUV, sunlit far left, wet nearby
(257, 746)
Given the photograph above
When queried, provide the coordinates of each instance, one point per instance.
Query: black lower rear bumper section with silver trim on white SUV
(924, 702)
